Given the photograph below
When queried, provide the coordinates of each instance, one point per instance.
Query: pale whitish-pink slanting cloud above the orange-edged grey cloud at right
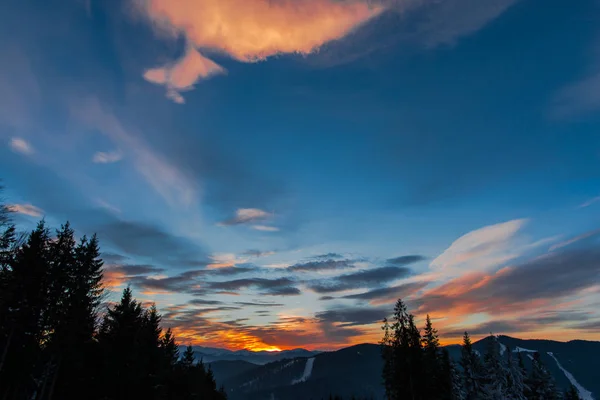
(479, 249)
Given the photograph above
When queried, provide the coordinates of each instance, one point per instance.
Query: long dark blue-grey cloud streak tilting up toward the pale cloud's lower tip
(362, 279)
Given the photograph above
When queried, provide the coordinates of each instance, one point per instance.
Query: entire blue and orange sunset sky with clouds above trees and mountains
(275, 174)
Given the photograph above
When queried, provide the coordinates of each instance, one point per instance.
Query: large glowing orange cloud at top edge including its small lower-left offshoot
(247, 31)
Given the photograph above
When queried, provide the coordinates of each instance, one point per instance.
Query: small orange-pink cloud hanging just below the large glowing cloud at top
(182, 74)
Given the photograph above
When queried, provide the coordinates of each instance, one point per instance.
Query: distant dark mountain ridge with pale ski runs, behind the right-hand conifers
(356, 370)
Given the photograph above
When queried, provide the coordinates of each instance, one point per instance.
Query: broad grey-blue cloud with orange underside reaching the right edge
(536, 282)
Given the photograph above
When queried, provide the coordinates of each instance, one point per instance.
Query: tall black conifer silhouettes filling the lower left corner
(57, 341)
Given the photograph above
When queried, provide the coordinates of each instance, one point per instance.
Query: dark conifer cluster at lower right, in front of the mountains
(417, 368)
